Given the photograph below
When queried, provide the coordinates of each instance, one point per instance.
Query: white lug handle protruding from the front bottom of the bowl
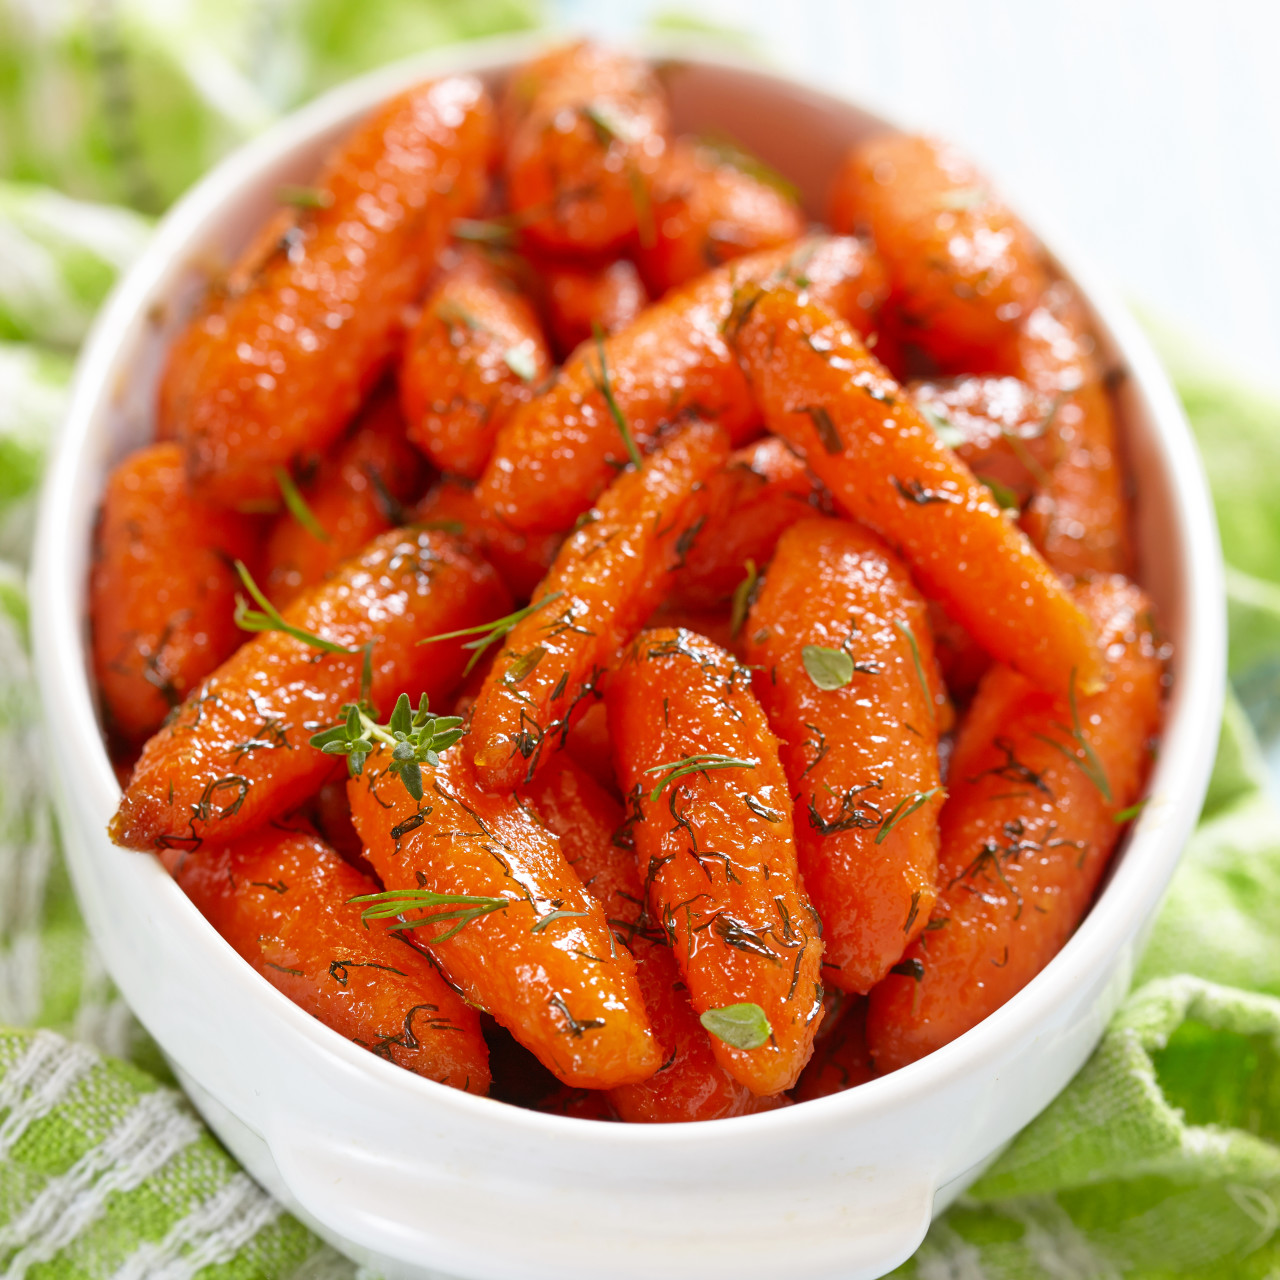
(423, 1219)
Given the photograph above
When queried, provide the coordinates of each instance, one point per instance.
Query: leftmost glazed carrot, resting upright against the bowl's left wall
(163, 589)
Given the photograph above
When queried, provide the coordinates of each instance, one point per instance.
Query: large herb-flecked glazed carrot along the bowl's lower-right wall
(1036, 790)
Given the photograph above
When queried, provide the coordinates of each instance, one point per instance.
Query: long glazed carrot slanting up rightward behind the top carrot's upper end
(557, 452)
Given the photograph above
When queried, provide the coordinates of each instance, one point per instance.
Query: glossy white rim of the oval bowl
(1127, 899)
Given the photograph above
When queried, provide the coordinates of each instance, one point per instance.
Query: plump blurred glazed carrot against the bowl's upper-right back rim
(964, 269)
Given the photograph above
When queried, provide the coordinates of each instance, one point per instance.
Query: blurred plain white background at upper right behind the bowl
(1150, 130)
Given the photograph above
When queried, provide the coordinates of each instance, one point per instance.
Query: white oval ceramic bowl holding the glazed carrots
(419, 1180)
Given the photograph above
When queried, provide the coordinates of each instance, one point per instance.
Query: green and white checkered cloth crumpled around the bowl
(1160, 1160)
